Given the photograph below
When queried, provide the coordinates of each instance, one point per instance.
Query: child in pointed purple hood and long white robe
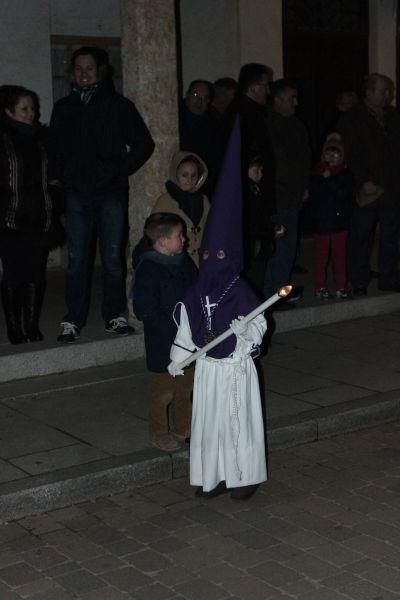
(227, 449)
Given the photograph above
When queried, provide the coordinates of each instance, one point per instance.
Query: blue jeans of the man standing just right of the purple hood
(280, 265)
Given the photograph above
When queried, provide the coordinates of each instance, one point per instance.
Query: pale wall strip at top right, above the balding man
(382, 41)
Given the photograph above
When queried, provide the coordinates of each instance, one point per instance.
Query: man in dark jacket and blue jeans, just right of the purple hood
(292, 159)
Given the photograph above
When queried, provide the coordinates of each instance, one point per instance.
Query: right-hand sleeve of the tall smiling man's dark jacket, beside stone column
(137, 137)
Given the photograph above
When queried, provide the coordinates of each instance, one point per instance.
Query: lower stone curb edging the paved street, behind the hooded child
(43, 493)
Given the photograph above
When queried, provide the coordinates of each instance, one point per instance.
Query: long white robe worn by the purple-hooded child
(227, 435)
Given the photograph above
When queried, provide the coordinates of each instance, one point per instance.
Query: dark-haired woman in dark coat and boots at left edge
(26, 213)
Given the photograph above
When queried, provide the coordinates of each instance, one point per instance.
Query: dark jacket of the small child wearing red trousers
(331, 202)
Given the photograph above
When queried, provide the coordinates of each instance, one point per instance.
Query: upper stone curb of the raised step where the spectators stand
(85, 354)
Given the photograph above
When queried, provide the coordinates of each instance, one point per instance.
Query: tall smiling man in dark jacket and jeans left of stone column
(99, 139)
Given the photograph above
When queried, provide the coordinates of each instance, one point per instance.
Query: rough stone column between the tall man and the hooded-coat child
(150, 80)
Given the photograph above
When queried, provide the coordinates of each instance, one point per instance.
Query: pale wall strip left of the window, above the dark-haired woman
(25, 48)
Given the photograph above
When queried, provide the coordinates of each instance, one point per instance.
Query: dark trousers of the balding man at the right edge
(363, 223)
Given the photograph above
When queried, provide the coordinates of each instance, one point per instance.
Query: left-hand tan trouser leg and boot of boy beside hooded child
(160, 396)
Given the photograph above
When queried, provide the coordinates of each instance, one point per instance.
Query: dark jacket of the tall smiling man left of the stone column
(96, 146)
